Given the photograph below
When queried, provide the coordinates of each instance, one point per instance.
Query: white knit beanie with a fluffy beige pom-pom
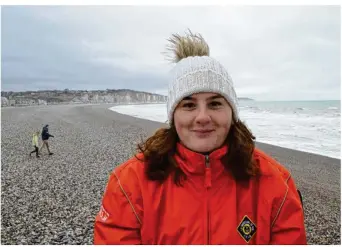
(195, 73)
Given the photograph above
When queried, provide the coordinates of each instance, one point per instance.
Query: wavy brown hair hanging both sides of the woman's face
(159, 150)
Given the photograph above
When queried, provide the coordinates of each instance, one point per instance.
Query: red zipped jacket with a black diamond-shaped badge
(210, 208)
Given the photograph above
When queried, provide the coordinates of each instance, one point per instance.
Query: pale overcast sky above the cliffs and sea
(272, 53)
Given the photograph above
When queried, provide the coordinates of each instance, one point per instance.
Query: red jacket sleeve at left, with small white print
(117, 221)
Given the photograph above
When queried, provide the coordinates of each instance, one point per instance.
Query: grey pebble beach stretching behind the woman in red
(54, 199)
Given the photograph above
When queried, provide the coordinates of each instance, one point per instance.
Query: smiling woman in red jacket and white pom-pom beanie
(201, 180)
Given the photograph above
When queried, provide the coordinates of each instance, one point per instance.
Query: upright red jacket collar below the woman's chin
(195, 163)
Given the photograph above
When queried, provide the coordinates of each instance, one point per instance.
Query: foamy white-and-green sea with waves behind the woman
(310, 126)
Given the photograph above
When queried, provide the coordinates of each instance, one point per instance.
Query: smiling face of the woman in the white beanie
(203, 121)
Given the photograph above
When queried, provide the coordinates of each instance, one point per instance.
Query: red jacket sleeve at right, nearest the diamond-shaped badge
(288, 226)
